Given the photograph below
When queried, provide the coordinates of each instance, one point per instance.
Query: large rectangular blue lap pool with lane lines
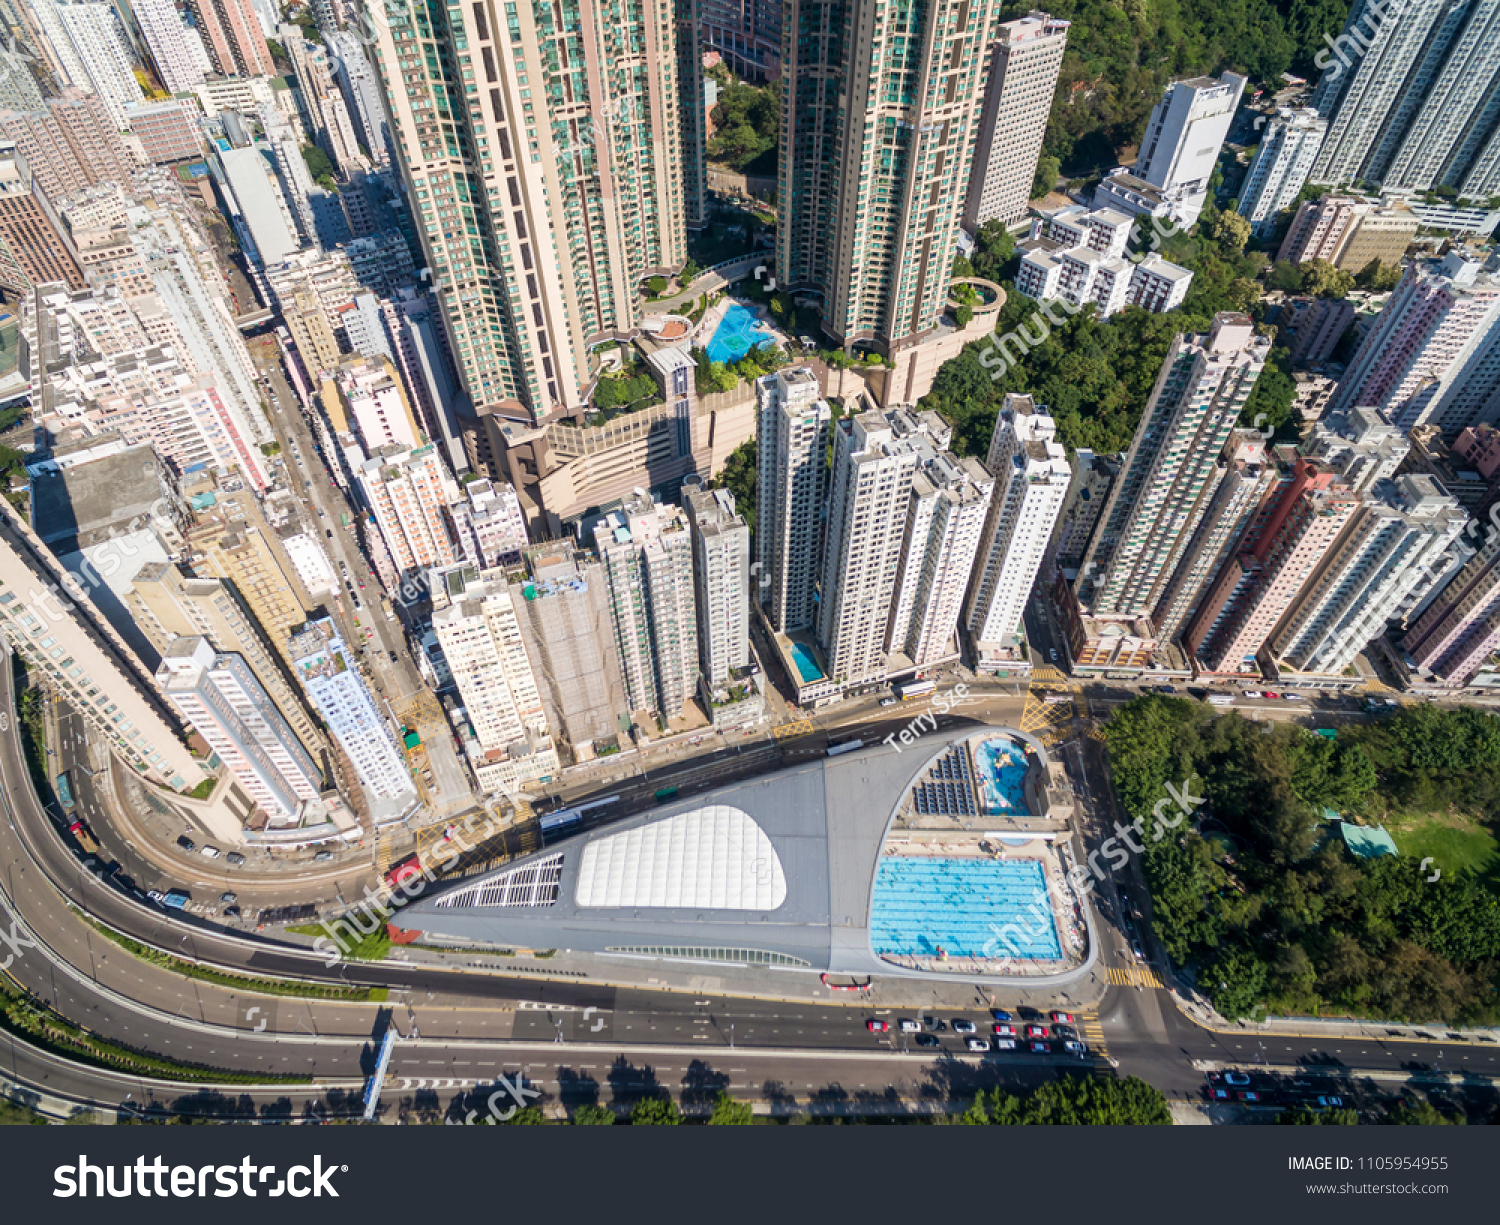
(965, 908)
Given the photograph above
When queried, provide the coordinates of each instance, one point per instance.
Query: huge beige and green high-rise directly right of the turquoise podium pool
(880, 112)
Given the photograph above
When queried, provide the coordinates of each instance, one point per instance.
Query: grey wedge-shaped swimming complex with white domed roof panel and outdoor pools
(947, 858)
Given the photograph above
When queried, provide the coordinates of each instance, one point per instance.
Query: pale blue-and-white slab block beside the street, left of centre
(331, 675)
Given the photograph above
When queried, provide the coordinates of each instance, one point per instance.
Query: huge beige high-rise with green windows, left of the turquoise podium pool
(547, 190)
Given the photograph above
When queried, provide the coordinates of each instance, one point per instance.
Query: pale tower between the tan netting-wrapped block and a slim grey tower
(647, 553)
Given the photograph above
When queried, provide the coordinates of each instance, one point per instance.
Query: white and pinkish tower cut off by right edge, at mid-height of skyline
(1433, 356)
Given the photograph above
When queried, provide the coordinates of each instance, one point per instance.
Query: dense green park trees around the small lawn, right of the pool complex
(1258, 896)
